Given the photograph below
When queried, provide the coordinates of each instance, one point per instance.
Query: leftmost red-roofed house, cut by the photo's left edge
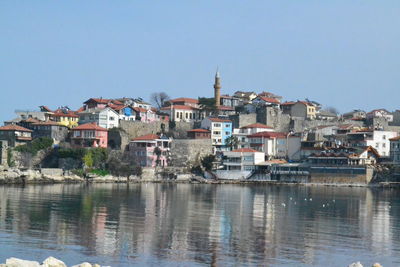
(15, 135)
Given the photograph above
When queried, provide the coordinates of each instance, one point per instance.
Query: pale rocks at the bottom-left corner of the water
(49, 262)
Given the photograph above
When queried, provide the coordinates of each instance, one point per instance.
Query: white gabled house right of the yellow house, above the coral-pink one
(106, 118)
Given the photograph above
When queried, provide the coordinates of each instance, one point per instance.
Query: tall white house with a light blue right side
(220, 128)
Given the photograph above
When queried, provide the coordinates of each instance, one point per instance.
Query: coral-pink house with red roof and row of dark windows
(89, 135)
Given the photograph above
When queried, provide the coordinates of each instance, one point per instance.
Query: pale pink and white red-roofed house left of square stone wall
(150, 150)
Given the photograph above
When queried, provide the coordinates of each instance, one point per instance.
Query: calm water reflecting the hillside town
(201, 225)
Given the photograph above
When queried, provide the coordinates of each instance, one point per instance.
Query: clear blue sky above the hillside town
(344, 54)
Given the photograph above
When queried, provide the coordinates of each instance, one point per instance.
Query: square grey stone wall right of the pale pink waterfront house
(188, 152)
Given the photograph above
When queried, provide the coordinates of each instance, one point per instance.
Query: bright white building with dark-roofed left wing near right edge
(380, 140)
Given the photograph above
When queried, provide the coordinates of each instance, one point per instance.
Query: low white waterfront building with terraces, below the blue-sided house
(243, 159)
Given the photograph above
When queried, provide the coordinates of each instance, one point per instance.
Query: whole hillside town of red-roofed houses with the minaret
(245, 136)
